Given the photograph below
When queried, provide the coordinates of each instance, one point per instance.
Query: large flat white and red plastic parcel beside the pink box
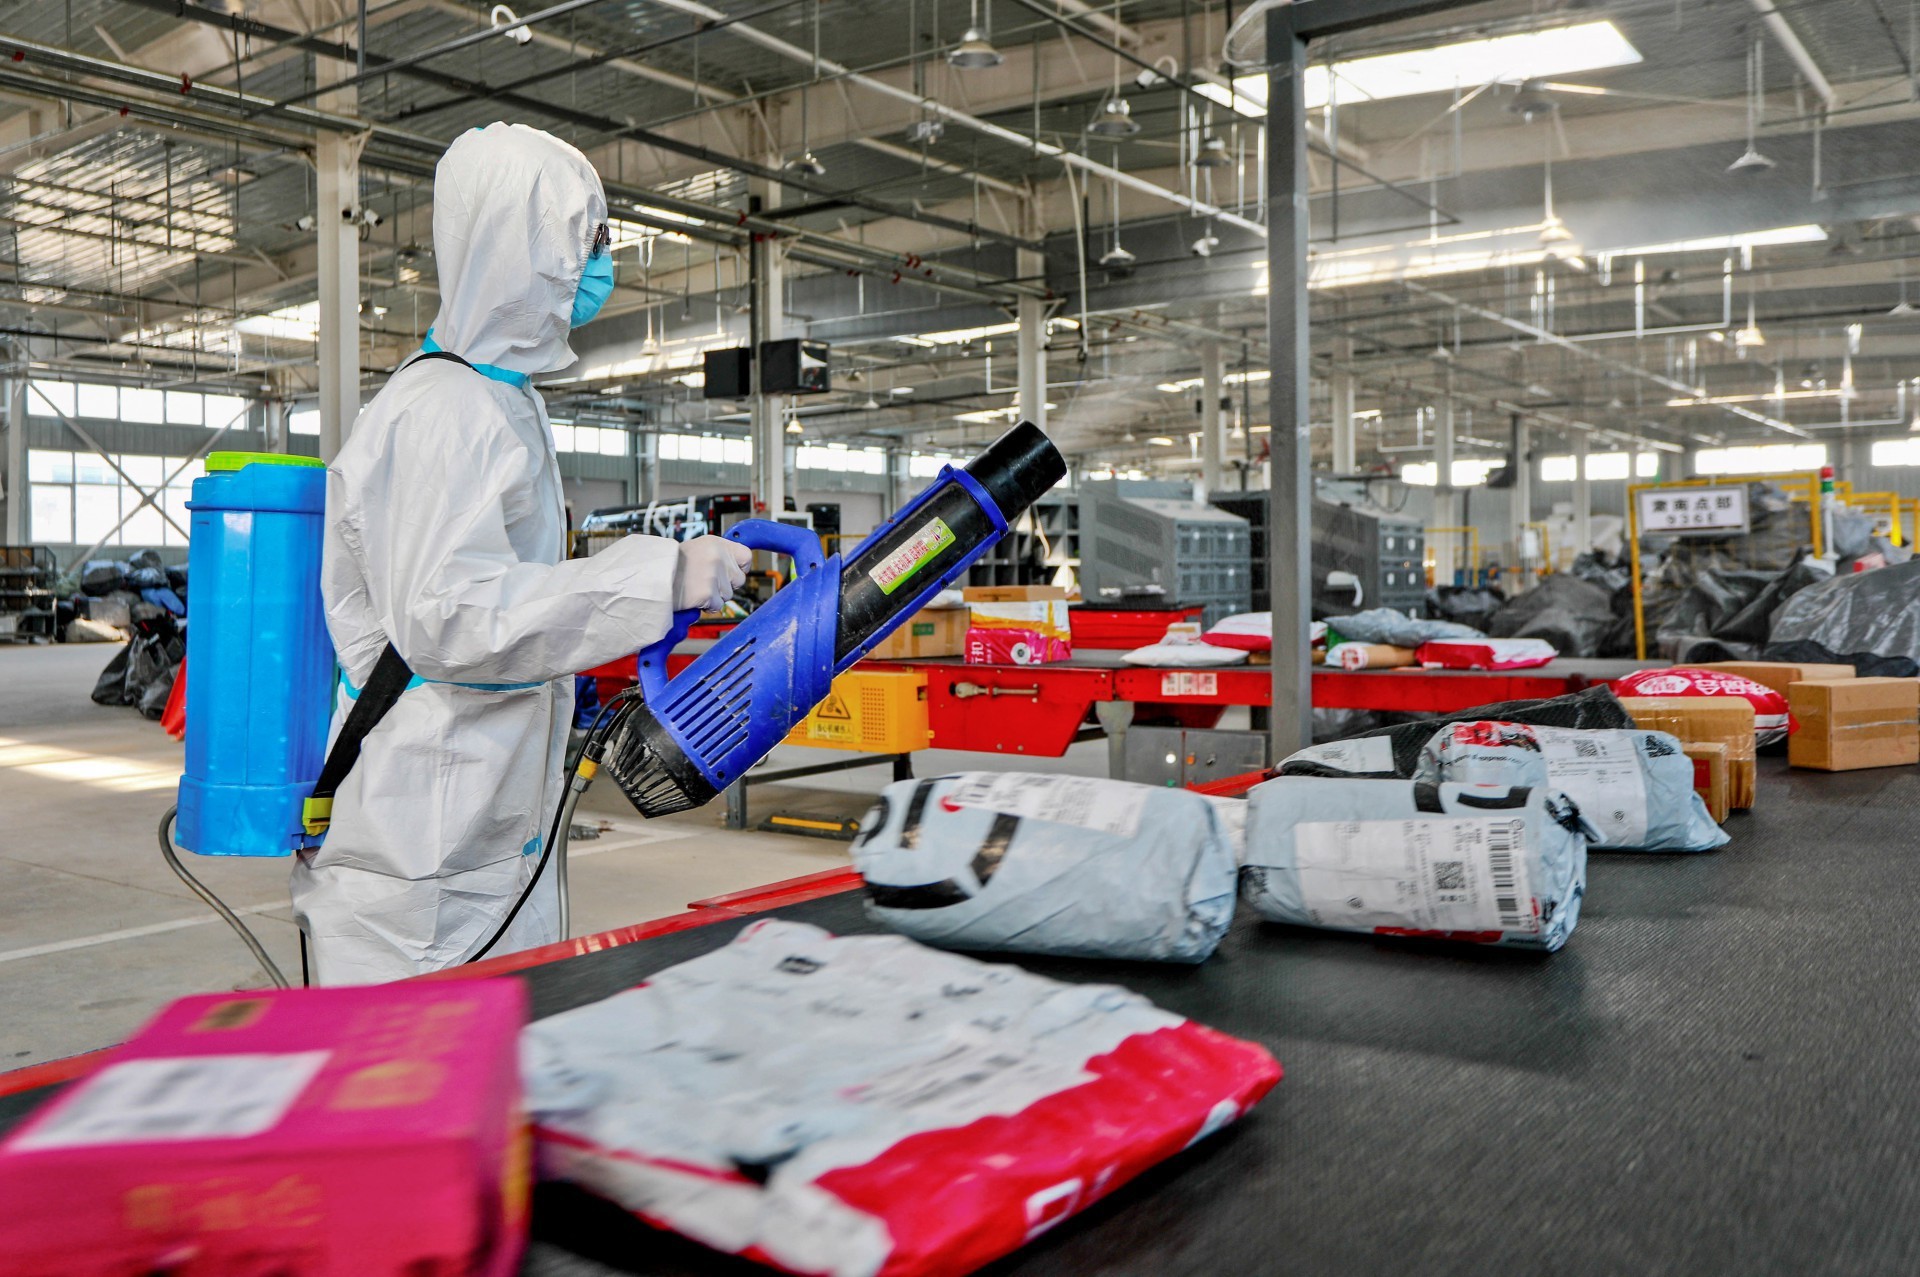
(869, 1105)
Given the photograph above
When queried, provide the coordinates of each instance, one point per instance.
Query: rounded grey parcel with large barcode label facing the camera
(1391, 857)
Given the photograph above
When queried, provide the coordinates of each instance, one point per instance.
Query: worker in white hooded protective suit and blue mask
(446, 537)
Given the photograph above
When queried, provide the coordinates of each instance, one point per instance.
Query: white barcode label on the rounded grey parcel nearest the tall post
(1431, 875)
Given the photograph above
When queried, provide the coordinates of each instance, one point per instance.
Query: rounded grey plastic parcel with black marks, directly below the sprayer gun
(1063, 865)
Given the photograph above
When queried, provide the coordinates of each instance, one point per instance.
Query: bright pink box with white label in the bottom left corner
(291, 1132)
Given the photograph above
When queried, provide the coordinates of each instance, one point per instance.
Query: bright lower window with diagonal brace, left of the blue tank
(78, 498)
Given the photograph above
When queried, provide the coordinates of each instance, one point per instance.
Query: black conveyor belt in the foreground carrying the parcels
(1716, 1076)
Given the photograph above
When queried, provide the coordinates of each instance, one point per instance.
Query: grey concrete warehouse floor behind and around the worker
(97, 934)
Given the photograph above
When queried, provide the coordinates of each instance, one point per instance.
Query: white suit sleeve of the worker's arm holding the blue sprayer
(448, 585)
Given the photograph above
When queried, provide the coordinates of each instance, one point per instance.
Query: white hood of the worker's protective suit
(516, 212)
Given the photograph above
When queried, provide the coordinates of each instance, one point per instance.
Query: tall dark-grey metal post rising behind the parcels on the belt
(1289, 546)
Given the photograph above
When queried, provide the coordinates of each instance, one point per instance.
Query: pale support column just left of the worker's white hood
(337, 233)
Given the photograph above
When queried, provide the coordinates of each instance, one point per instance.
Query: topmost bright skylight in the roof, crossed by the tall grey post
(1497, 60)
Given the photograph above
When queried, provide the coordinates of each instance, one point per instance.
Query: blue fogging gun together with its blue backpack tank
(262, 667)
